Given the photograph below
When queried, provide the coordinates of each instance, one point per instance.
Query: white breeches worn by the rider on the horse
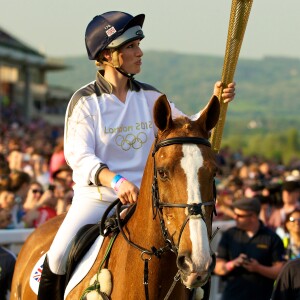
(88, 206)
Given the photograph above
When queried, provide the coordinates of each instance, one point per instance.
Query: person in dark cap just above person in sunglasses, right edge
(290, 200)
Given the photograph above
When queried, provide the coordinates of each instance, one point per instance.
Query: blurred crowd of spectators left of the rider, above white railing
(35, 180)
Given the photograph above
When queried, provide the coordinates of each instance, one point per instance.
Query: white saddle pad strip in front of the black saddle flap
(85, 265)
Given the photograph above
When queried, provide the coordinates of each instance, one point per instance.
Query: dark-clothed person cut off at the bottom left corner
(7, 265)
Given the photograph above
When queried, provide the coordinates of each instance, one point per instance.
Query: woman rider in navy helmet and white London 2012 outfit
(108, 134)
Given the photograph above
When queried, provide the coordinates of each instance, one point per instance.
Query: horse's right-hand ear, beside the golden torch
(210, 114)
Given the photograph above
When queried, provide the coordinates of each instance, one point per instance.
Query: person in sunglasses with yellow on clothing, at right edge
(292, 240)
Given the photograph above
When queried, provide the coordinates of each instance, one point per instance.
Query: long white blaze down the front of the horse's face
(191, 161)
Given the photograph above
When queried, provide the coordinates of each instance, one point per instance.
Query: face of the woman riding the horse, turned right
(130, 57)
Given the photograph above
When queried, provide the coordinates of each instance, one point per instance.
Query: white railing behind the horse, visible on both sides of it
(13, 239)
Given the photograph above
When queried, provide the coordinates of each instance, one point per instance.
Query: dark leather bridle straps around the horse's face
(193, 209)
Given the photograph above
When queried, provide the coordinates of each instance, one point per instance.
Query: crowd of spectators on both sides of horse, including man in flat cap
(36, 185)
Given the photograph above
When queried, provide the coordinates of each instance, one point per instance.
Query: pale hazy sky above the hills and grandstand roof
(57, 27)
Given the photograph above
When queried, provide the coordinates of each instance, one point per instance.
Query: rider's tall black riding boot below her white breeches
(52, 286)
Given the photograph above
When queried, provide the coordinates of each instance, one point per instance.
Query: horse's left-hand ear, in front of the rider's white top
(162, 113)
